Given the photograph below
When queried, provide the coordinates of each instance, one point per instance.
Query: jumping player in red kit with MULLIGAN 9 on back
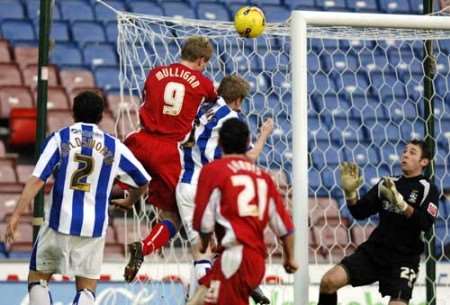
(172, 96)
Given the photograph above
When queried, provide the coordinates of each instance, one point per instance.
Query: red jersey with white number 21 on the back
(237, 200)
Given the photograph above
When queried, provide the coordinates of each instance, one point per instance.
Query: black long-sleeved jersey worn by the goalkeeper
(398, 238)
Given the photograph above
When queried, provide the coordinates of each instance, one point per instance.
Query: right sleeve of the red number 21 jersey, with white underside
(279, 220)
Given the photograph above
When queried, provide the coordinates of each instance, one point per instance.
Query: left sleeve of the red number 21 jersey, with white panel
(206, 200)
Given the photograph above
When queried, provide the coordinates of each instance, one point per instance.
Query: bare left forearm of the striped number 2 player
(32, 187)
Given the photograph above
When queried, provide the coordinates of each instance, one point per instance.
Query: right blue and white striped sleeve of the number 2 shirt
(130, 170)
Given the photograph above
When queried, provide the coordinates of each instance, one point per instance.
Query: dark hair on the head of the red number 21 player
(233, 136)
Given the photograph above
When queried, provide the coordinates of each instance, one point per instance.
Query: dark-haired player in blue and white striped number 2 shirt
(85, 161)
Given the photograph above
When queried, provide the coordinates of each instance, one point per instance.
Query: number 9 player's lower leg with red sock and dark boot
(159, 236)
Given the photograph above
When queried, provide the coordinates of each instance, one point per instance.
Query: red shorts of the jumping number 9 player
(161, 159)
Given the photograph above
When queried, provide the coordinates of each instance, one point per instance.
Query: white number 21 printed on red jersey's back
(248, 193)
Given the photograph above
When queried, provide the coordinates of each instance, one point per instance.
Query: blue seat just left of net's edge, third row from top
(96, 54)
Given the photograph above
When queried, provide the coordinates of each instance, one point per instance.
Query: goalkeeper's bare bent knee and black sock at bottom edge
(334, 279)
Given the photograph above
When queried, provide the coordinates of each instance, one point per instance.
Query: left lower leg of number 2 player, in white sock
(38, 288)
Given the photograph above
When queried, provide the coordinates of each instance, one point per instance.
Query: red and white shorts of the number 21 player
(235, 288)
